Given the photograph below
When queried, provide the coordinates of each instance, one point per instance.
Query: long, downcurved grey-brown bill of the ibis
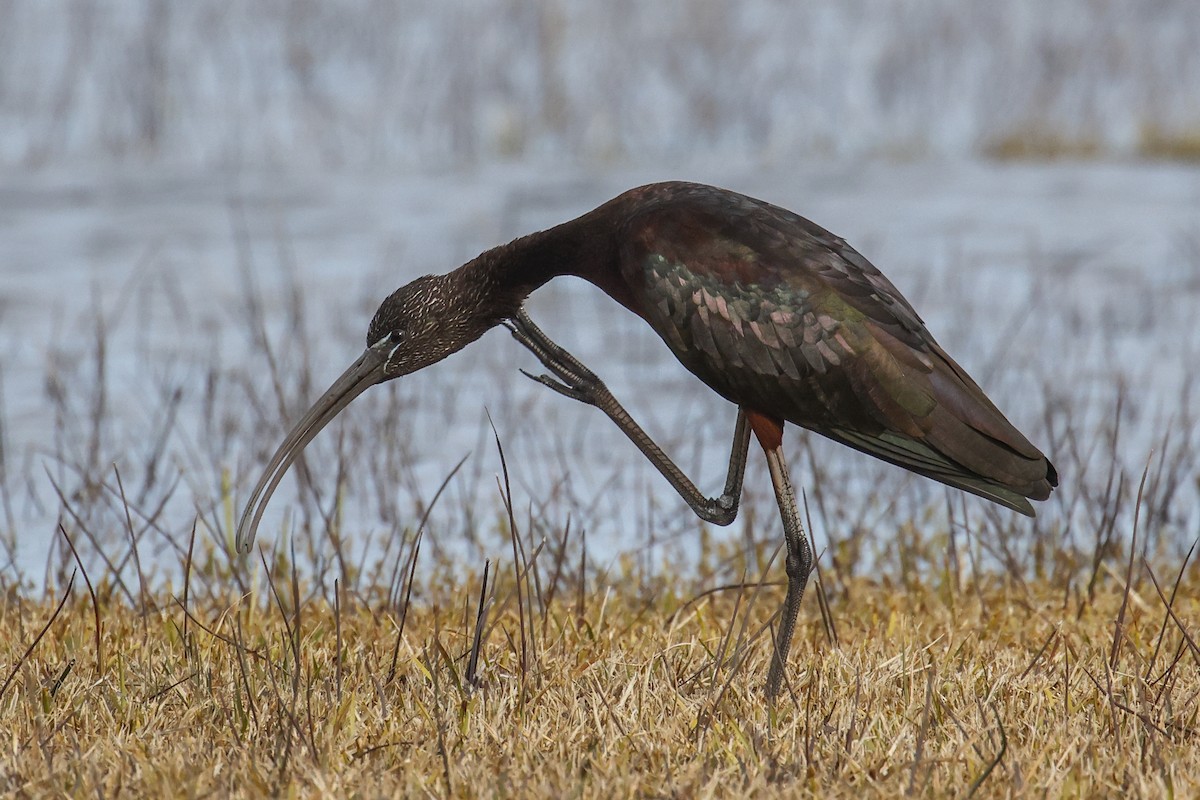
(364, 374)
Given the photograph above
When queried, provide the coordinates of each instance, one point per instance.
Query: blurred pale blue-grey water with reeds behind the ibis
(185, 185)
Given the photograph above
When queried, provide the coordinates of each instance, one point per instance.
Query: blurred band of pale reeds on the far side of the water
(442, 85)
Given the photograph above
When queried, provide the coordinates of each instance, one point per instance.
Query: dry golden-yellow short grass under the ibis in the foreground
(995, 689)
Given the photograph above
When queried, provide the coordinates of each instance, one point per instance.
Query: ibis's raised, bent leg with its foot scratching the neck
(575, 381)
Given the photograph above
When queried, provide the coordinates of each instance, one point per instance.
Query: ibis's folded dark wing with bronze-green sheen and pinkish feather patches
(785, 318)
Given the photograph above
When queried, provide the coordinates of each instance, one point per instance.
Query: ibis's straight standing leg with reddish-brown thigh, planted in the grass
(800, 556)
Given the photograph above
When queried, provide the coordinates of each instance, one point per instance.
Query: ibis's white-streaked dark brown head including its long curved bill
(418, 326)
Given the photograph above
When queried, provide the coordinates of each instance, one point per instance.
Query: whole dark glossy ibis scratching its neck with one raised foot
(775, 314)
